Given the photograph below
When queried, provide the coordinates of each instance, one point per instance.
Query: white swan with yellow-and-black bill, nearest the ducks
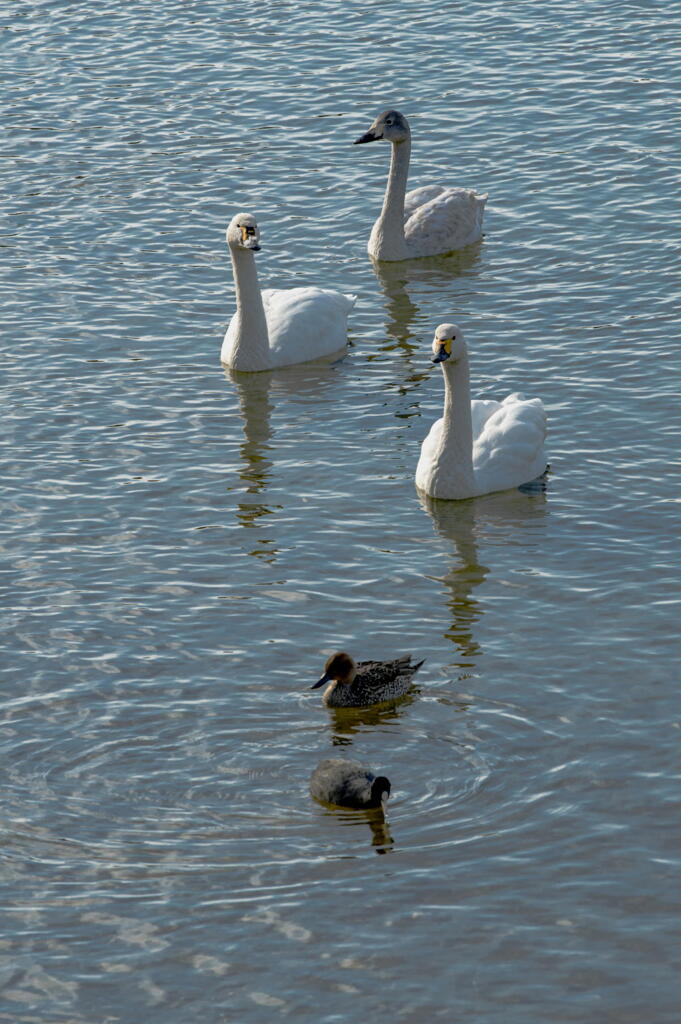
(479, 447)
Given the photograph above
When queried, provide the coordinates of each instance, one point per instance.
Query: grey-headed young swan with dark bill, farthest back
(425, 222)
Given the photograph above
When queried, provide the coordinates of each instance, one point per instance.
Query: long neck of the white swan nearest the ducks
(455, 458)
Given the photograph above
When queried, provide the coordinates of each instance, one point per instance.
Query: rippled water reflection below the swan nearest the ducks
(464, 524)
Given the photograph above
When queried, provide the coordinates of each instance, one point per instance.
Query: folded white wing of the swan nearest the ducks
(510, 449)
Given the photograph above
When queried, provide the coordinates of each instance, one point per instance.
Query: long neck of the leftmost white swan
(251, 342)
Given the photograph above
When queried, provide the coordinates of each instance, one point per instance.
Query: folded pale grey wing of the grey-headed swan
(449, 221)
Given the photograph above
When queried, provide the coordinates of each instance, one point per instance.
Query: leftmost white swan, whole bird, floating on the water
(278, 328)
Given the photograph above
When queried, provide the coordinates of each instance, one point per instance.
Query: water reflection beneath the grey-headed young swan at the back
(434, 273)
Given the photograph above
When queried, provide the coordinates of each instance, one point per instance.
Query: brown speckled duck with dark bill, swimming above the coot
(361, 685)
